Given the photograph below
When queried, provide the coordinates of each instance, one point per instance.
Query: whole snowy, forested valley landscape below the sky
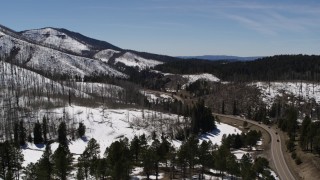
(73, 107)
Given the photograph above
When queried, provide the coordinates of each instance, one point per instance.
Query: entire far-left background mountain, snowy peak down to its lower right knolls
(77, 44)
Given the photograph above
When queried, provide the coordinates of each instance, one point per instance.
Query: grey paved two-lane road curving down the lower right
(276, 150)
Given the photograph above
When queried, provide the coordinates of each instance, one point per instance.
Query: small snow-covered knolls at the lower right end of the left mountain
(133, 60)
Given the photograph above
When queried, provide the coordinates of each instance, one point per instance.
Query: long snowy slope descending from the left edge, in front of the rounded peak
(51, 61)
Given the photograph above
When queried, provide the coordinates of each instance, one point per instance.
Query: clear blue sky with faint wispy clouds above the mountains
(180, 27)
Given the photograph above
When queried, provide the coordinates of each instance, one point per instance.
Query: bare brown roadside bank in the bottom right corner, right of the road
(309, 169)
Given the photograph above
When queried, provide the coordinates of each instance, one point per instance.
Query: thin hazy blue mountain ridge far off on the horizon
(222, 57)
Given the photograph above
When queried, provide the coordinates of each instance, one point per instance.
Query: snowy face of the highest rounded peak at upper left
(55, 38)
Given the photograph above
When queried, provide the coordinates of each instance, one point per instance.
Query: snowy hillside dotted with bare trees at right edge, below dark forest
(303, 89)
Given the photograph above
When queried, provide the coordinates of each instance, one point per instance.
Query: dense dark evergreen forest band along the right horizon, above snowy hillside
(275, 68)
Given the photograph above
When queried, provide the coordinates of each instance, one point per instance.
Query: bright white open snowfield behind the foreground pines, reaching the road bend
(109, 125)
